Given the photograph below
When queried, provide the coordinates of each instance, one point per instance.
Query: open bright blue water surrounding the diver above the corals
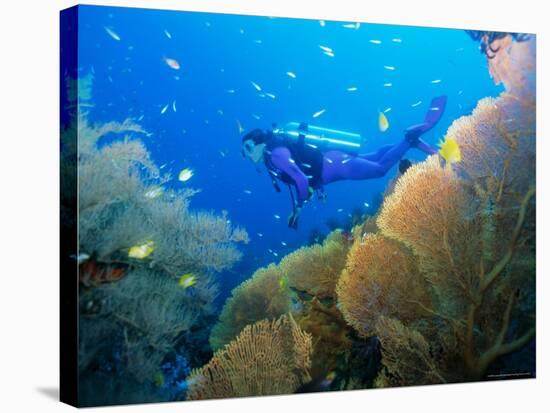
(212, 93)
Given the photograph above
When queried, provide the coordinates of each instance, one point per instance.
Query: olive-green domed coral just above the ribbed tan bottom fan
(259, 297)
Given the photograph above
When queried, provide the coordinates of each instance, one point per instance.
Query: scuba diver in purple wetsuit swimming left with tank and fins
(306, 157)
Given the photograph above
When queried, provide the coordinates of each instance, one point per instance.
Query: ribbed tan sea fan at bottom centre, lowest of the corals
(268, 357)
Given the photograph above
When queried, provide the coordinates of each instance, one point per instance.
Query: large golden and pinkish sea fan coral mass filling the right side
(469, 228)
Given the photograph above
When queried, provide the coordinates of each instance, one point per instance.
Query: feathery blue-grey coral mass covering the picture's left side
(134, 315)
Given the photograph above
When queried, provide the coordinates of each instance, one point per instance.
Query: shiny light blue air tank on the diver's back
(317, 137)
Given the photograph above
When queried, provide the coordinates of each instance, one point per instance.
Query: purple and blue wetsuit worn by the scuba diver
(338, 165)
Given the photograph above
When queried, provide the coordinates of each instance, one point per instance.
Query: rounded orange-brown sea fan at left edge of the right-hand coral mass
(381, 278)
